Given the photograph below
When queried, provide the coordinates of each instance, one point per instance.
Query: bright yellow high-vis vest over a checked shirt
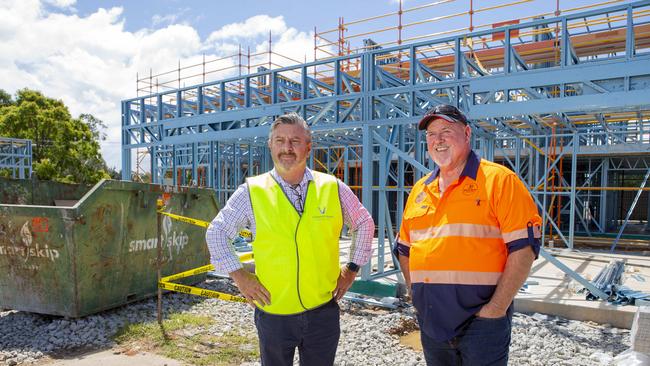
(296, 257)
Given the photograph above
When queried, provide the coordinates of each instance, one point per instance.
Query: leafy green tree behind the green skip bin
(64, 149)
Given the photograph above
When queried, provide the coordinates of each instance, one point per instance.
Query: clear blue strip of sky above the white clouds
(207, 16)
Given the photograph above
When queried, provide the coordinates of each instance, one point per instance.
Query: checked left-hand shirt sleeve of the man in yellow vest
(231, 219)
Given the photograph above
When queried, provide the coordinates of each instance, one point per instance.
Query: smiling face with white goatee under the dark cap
(447, 142)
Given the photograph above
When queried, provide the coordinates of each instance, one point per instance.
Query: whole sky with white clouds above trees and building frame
(88, 53)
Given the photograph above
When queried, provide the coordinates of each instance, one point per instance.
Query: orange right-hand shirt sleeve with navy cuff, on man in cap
(517, 215)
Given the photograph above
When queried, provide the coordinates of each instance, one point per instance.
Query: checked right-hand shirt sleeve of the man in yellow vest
(360, 224)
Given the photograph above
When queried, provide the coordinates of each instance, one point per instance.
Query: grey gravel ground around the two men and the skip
(366, 338)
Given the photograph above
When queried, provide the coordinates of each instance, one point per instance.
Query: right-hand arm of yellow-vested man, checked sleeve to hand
(362, 229)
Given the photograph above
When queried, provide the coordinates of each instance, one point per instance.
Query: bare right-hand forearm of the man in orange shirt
(515, 273)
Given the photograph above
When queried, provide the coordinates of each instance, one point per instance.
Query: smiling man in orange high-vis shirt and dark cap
(470, 233)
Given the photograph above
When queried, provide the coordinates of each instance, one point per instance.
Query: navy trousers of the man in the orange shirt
(482, 342)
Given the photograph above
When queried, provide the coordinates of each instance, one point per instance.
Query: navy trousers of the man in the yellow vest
(315, 333)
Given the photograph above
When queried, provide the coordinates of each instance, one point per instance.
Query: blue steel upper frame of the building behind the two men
(508, 99)
